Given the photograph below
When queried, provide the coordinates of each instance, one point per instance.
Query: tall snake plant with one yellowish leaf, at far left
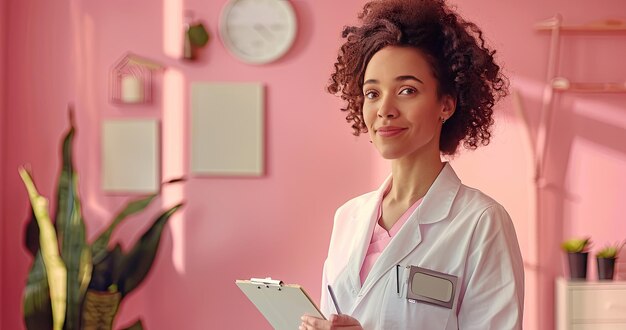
(73, 284)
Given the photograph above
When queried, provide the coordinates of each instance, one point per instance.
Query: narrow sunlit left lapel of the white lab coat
(366, 220)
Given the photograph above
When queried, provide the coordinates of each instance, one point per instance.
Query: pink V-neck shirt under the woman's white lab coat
(381, 238)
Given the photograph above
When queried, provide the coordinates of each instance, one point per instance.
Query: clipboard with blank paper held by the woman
(281, 304)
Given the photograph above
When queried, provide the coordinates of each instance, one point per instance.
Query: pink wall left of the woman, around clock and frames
(282, 229)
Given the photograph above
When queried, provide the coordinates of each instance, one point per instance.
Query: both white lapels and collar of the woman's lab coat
(435, 207)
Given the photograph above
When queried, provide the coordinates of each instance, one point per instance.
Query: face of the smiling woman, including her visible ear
(401, 108)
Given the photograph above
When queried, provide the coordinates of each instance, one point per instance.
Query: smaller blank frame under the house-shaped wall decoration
(130, 156)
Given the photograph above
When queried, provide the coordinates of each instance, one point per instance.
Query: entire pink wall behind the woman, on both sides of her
(55, 53)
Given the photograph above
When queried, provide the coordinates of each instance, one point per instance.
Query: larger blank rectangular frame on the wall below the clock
(227, 129)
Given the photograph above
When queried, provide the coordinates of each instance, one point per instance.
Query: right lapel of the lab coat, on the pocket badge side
(435, 207)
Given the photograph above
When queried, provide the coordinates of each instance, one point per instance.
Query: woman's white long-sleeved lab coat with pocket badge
(456, 230)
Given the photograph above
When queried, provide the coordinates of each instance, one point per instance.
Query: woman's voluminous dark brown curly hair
(462, 64)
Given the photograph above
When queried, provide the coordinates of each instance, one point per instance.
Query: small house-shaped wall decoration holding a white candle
(131, 80)
